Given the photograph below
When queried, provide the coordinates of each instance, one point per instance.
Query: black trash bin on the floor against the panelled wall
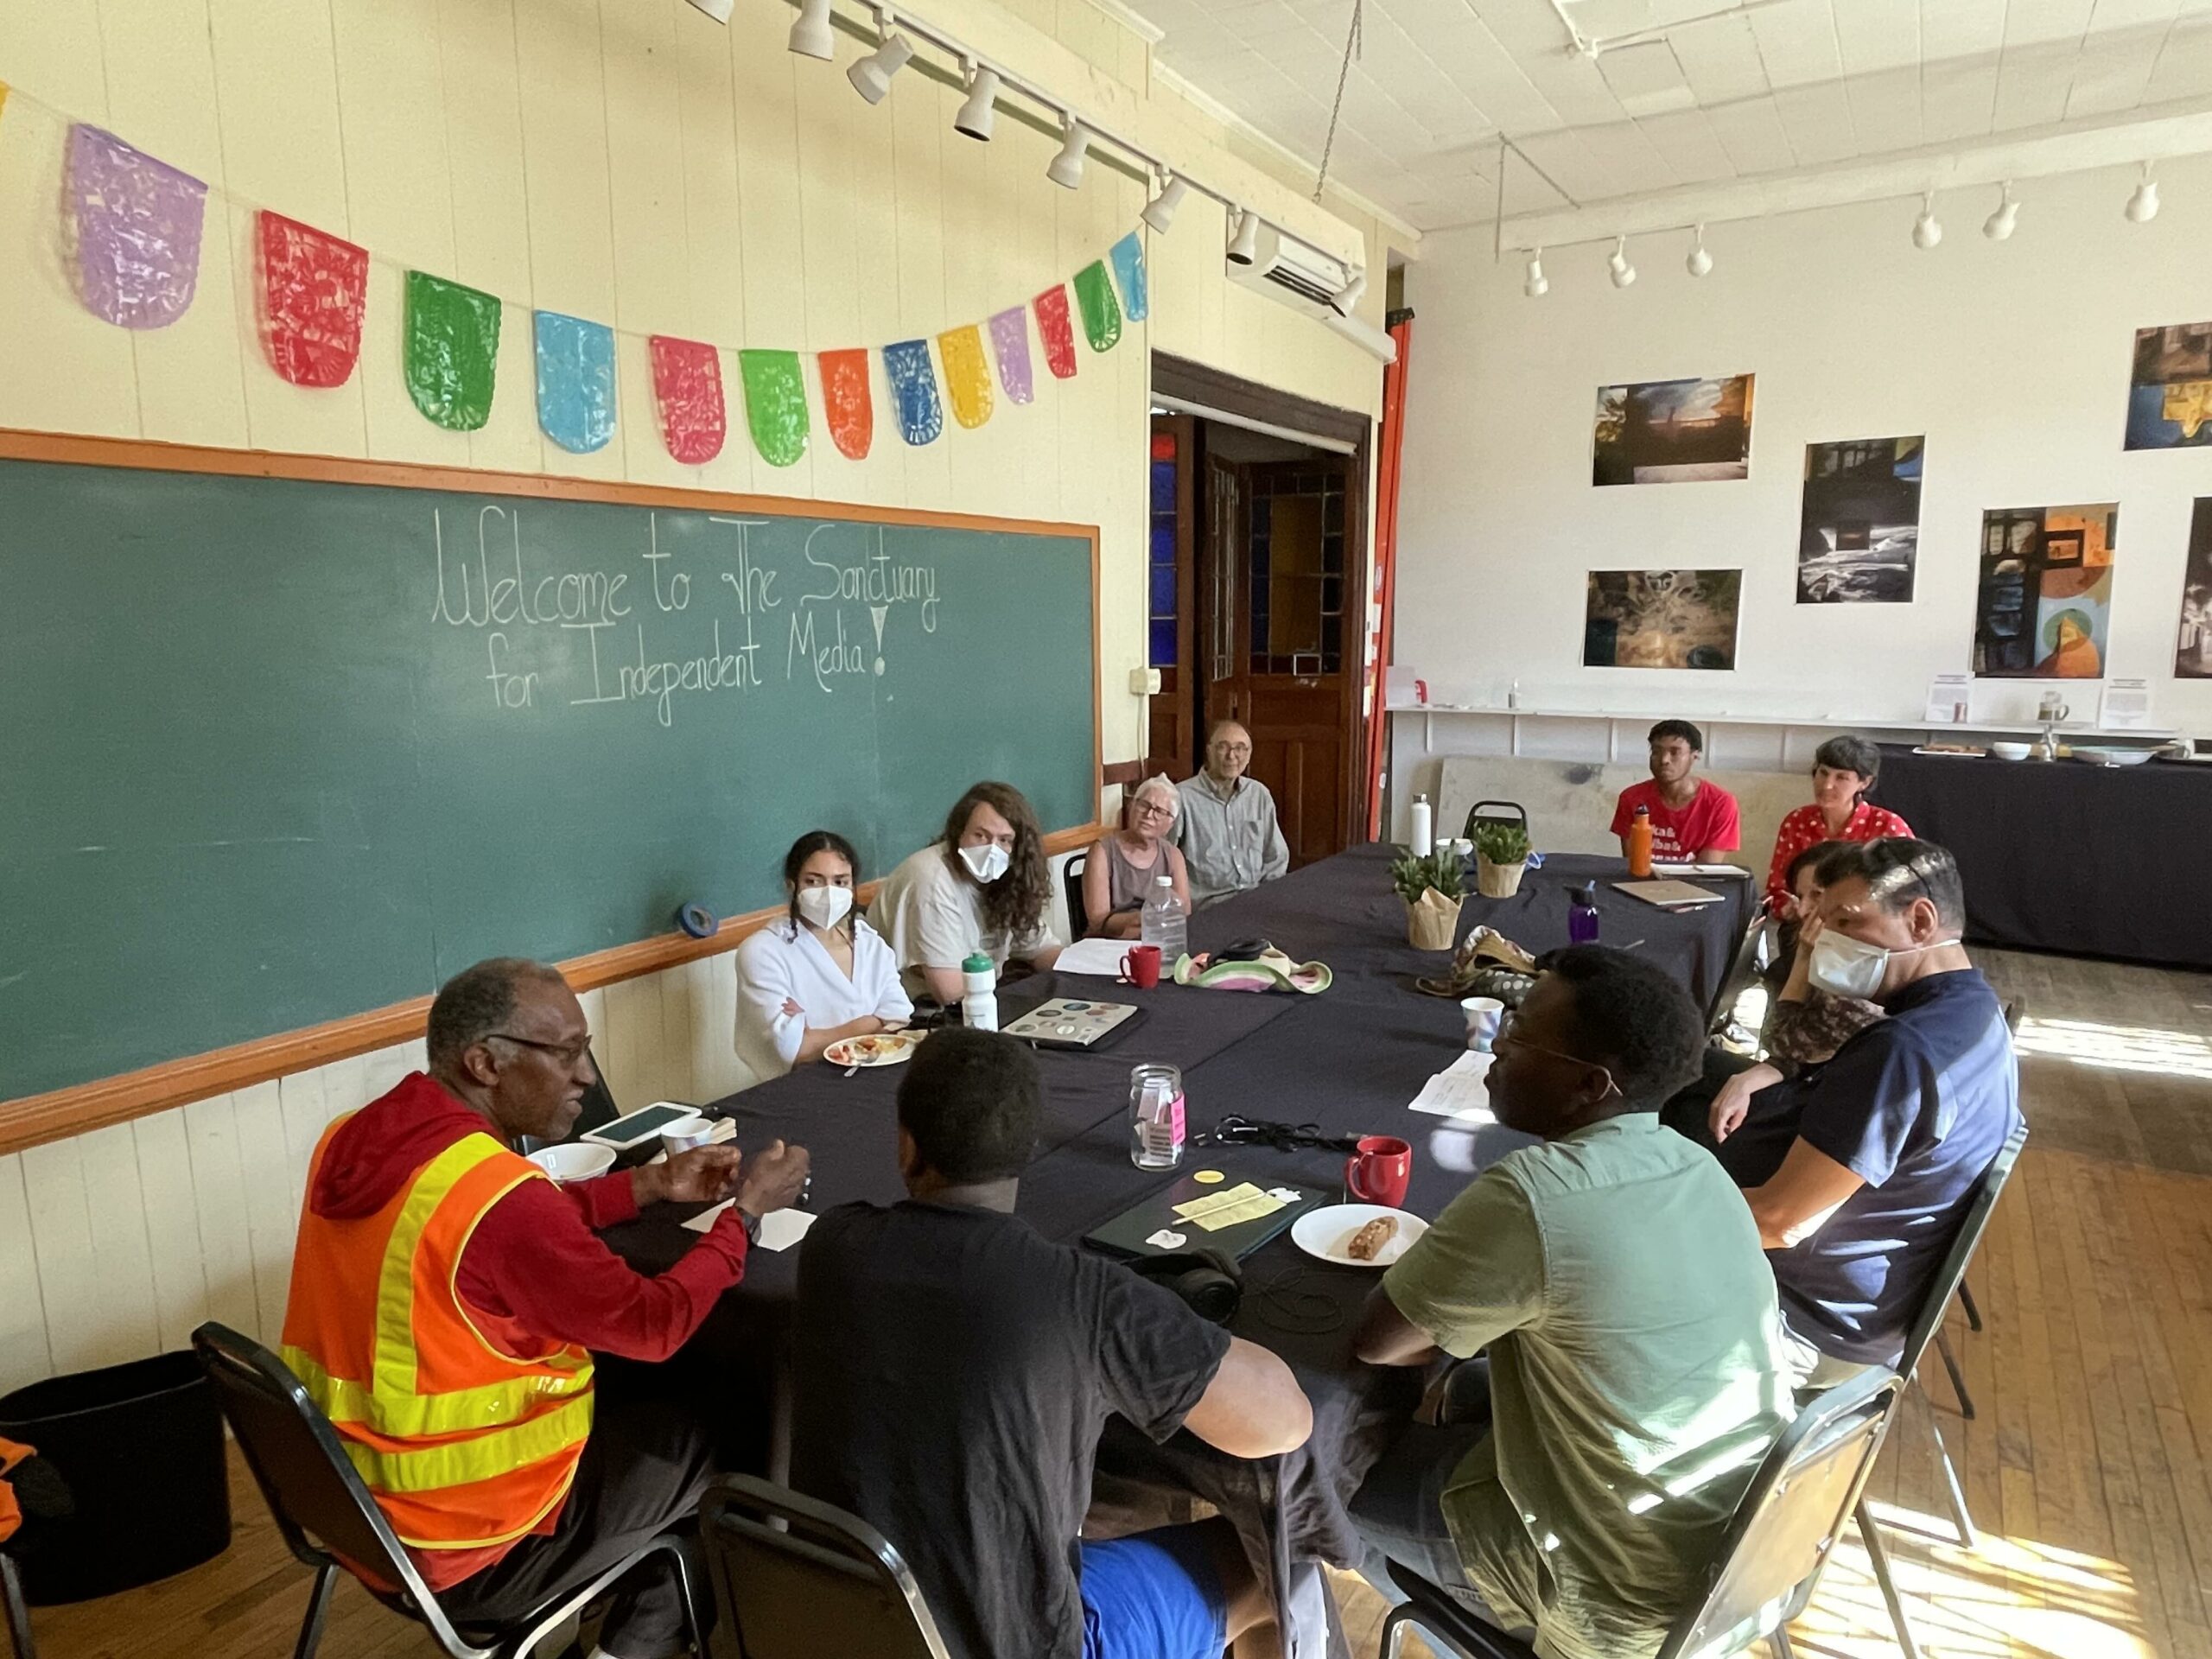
(143, 1452)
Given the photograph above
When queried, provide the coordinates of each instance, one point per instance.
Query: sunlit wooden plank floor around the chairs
(2094, 1386)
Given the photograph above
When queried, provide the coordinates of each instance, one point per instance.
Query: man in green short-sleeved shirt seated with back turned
(1616, 1280)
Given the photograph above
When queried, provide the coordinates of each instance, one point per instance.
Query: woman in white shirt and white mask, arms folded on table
(817, 977)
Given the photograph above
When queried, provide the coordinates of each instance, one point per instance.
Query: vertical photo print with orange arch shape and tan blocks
(2045, 609)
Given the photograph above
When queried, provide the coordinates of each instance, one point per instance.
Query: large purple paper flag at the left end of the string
(138, 231)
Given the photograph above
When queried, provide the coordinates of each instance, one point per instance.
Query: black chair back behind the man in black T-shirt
(800, 1580)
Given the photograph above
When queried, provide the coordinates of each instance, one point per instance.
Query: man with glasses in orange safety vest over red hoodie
(448, 1302)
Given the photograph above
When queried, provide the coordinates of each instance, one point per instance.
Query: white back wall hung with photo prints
(2012, 357)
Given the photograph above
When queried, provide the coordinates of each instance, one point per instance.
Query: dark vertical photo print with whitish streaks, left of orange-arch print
(1861, 530)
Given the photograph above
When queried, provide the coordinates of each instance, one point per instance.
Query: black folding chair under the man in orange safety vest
(331, 1521)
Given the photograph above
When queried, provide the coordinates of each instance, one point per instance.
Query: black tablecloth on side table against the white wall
(2069, 857)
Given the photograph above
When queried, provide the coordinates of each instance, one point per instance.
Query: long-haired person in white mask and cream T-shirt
(981, 888)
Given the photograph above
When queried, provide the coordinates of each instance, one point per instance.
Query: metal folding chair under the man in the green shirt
(1771, 1556)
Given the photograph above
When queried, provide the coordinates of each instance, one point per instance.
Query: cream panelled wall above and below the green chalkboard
(632, 163)
